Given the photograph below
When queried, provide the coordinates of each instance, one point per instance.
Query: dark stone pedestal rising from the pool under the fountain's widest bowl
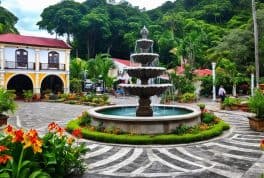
(144, 108)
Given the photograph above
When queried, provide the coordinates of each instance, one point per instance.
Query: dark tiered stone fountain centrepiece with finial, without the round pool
(144, 73)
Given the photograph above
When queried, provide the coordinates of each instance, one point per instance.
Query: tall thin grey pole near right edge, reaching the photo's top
(254, 15)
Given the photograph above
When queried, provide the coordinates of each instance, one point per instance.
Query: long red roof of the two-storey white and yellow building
(33, 41)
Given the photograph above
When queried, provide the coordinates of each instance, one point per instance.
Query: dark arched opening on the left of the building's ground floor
(19, 83)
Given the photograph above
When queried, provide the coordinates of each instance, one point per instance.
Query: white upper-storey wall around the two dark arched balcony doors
(9, 54)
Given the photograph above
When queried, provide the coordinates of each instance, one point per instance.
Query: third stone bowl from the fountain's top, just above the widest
(145, 73)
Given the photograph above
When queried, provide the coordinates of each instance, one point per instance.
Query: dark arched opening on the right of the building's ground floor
(52, 83)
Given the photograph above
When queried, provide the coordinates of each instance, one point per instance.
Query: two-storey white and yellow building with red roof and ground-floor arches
(34, 63)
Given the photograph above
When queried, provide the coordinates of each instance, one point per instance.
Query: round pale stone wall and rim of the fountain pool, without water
(144, 125)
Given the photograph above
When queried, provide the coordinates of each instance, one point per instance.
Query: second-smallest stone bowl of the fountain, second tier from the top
(144, 58)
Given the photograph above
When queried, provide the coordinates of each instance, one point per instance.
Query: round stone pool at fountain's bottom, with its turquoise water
(166, 121)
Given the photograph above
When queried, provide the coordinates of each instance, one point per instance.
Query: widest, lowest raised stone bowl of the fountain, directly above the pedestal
(145, 91)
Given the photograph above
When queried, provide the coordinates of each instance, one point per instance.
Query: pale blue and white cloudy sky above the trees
(28, 12)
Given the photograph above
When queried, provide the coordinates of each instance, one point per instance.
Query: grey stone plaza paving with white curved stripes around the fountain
(236, 154)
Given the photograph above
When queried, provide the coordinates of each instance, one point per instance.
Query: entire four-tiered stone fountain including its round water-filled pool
(141, 119)
